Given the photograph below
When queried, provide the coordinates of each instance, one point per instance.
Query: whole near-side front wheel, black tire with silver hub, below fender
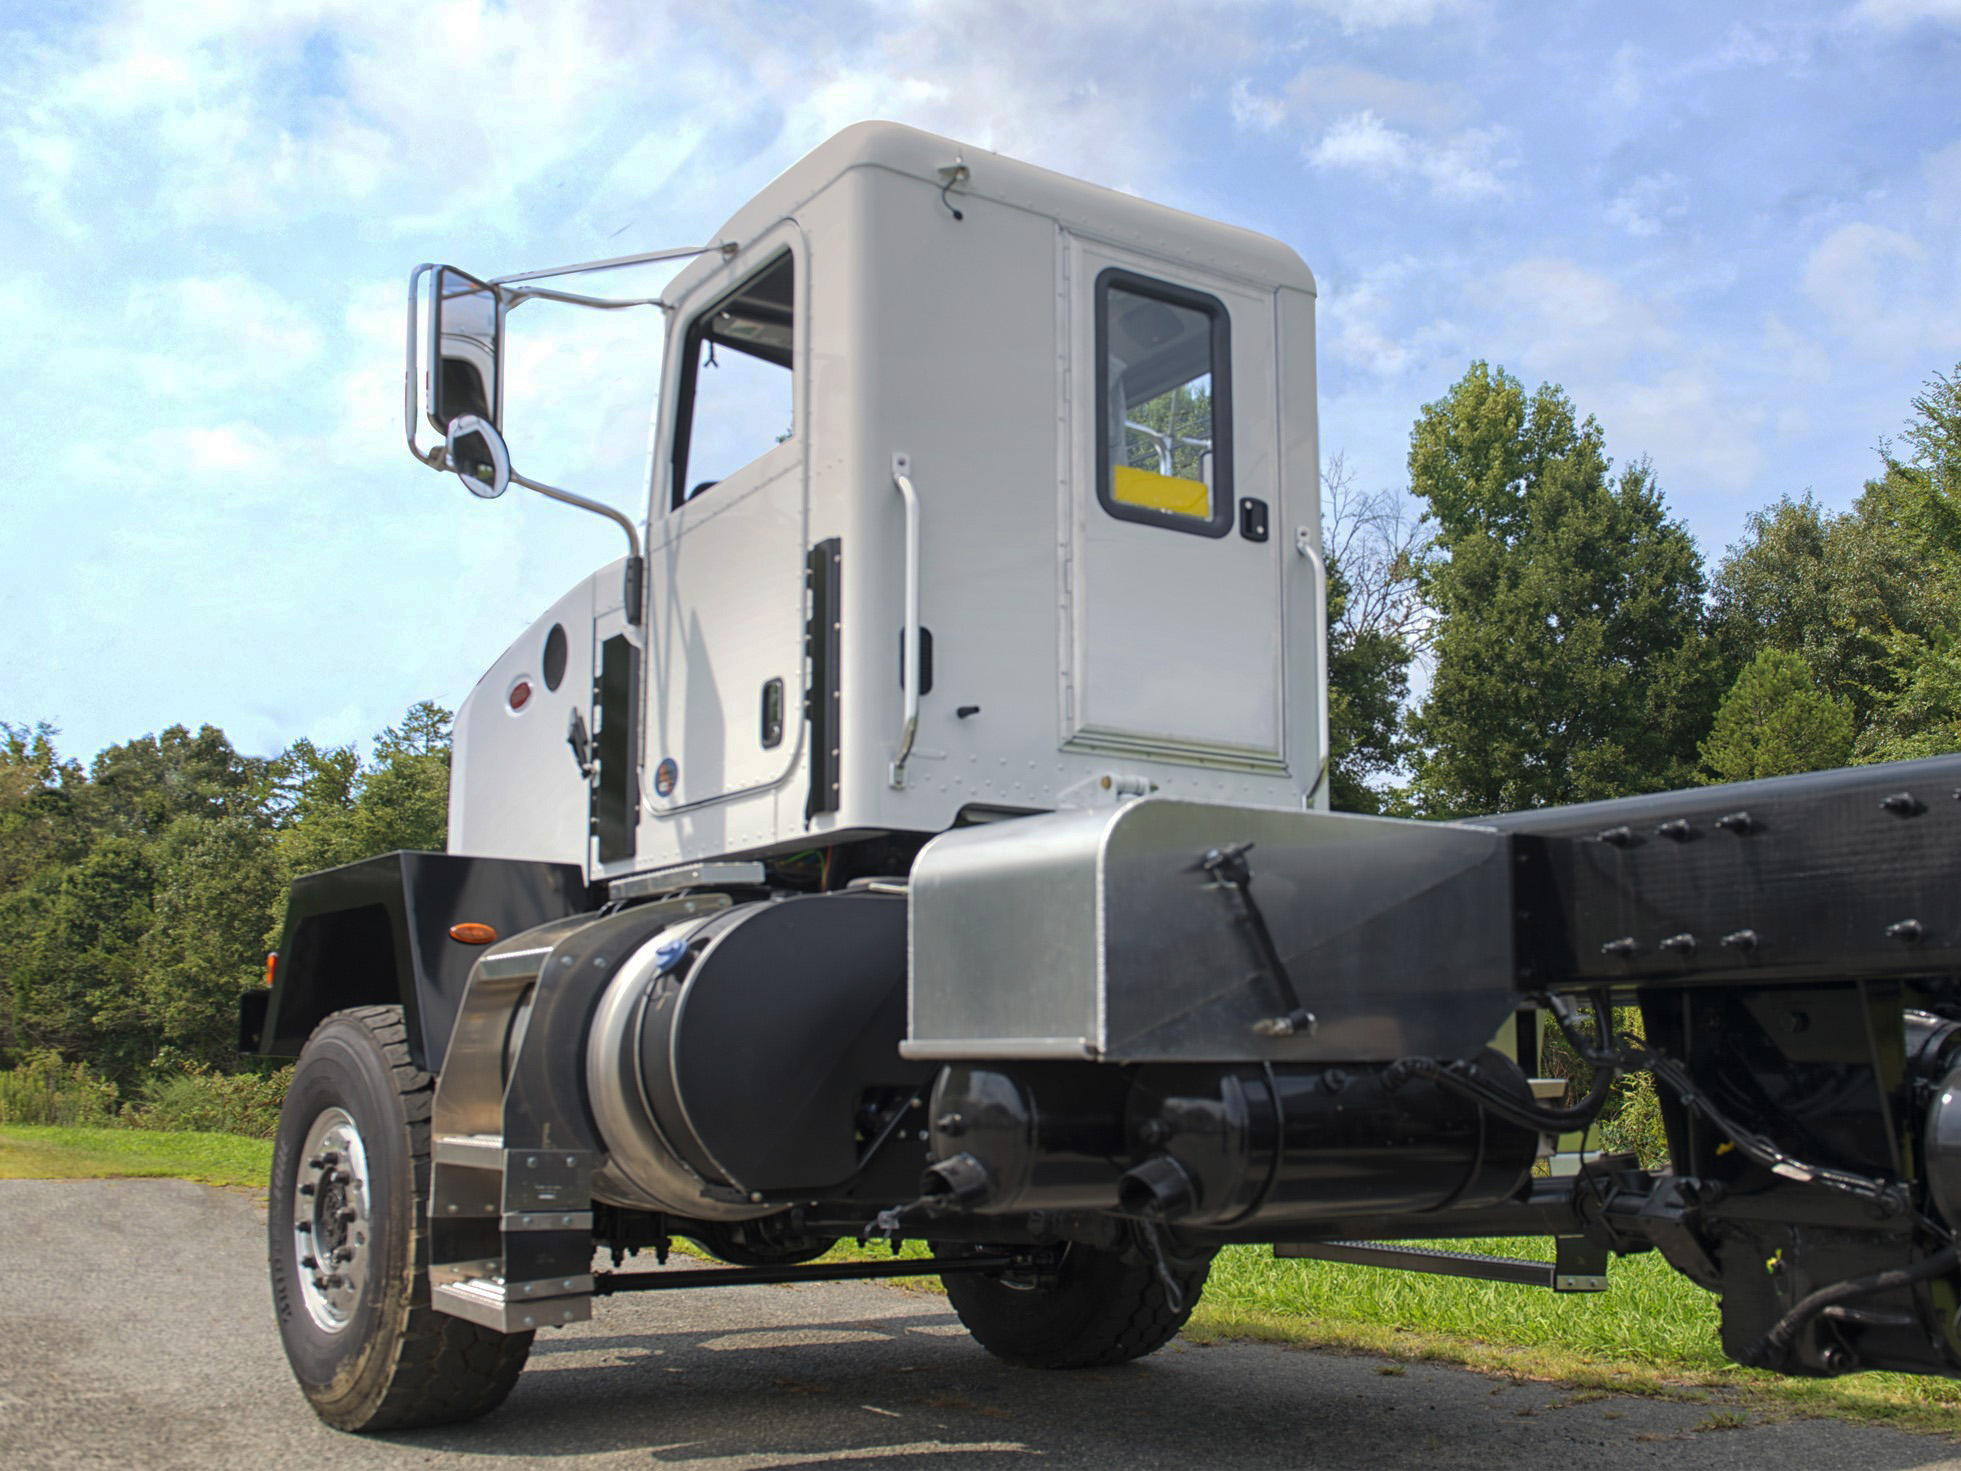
(348, 1237)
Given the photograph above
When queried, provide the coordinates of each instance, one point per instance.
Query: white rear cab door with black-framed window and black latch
(1174, 572)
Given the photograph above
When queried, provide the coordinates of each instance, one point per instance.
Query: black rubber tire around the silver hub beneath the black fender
(413, 1364)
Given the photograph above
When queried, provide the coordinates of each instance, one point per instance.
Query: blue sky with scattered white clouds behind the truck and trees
(1731, 232)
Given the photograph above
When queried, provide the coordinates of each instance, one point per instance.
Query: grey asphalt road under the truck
(136, 1331)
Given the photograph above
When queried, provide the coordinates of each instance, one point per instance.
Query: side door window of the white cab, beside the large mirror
(736, 381)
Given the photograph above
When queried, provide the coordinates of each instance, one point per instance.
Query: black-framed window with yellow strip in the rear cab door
(1162, 405)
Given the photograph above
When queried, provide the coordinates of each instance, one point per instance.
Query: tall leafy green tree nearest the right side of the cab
(1570, 658)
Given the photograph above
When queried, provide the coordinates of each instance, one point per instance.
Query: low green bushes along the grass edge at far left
(187, 1097)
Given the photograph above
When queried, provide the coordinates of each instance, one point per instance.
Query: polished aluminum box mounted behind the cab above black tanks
(1101, 935)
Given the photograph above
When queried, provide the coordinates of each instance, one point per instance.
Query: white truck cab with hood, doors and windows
(974, 491)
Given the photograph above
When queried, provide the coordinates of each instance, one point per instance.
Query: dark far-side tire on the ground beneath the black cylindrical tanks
(1103, 1307)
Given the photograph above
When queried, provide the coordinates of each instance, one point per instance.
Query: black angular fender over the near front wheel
(377, 933)
